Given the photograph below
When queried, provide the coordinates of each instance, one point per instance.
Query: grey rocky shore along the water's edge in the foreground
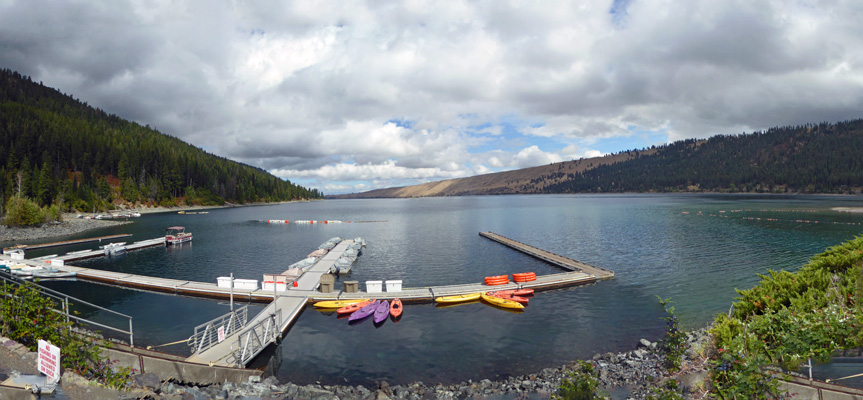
(629, 375)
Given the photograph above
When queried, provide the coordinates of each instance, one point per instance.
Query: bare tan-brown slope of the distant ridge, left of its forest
(527, 180)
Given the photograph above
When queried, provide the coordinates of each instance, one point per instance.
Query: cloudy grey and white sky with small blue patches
(348, 96)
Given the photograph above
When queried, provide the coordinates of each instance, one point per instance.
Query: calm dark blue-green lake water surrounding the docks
(658, 245)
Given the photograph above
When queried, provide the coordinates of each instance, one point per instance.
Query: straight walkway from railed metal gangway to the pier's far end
(237, 345)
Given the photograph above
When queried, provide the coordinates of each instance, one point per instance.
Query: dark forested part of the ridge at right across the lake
(823, 158)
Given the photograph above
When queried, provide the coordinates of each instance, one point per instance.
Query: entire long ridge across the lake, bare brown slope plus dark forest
(812, 158)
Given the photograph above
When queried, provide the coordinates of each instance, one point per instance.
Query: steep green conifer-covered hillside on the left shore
(58, 150)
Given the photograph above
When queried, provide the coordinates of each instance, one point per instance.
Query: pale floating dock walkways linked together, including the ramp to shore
(280, 314)
